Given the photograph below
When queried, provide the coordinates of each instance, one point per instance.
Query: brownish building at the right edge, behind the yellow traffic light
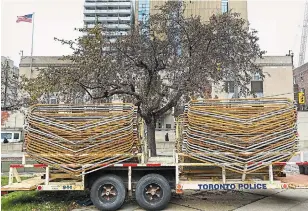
(300, 75)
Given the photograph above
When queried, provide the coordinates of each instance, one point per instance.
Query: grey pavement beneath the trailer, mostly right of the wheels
(265, 200)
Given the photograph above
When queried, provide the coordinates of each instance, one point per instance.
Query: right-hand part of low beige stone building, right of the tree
(278, 81)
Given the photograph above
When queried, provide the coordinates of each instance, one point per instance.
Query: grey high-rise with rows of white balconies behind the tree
(116, 16)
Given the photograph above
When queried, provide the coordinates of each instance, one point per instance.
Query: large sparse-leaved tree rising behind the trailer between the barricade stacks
(159, 62)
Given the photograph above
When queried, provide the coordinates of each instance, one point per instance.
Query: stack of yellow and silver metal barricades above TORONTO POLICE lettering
(240, 133)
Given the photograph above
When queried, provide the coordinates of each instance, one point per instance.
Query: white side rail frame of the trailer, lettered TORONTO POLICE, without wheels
(48, 185)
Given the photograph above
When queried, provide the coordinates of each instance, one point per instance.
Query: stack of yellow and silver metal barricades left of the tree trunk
(80, 139)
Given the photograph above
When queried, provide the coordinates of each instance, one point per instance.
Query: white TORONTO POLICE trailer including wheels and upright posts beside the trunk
(151, 180)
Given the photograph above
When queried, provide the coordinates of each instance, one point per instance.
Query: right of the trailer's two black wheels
(153, 192)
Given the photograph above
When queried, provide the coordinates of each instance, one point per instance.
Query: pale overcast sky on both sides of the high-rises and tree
(279, 23)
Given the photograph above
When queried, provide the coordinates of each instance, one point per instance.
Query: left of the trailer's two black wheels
(108, 193)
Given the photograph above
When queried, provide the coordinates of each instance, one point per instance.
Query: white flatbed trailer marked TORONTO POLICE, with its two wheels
(151, 179)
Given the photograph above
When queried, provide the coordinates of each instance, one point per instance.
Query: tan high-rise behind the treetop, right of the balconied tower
(206, 8)
